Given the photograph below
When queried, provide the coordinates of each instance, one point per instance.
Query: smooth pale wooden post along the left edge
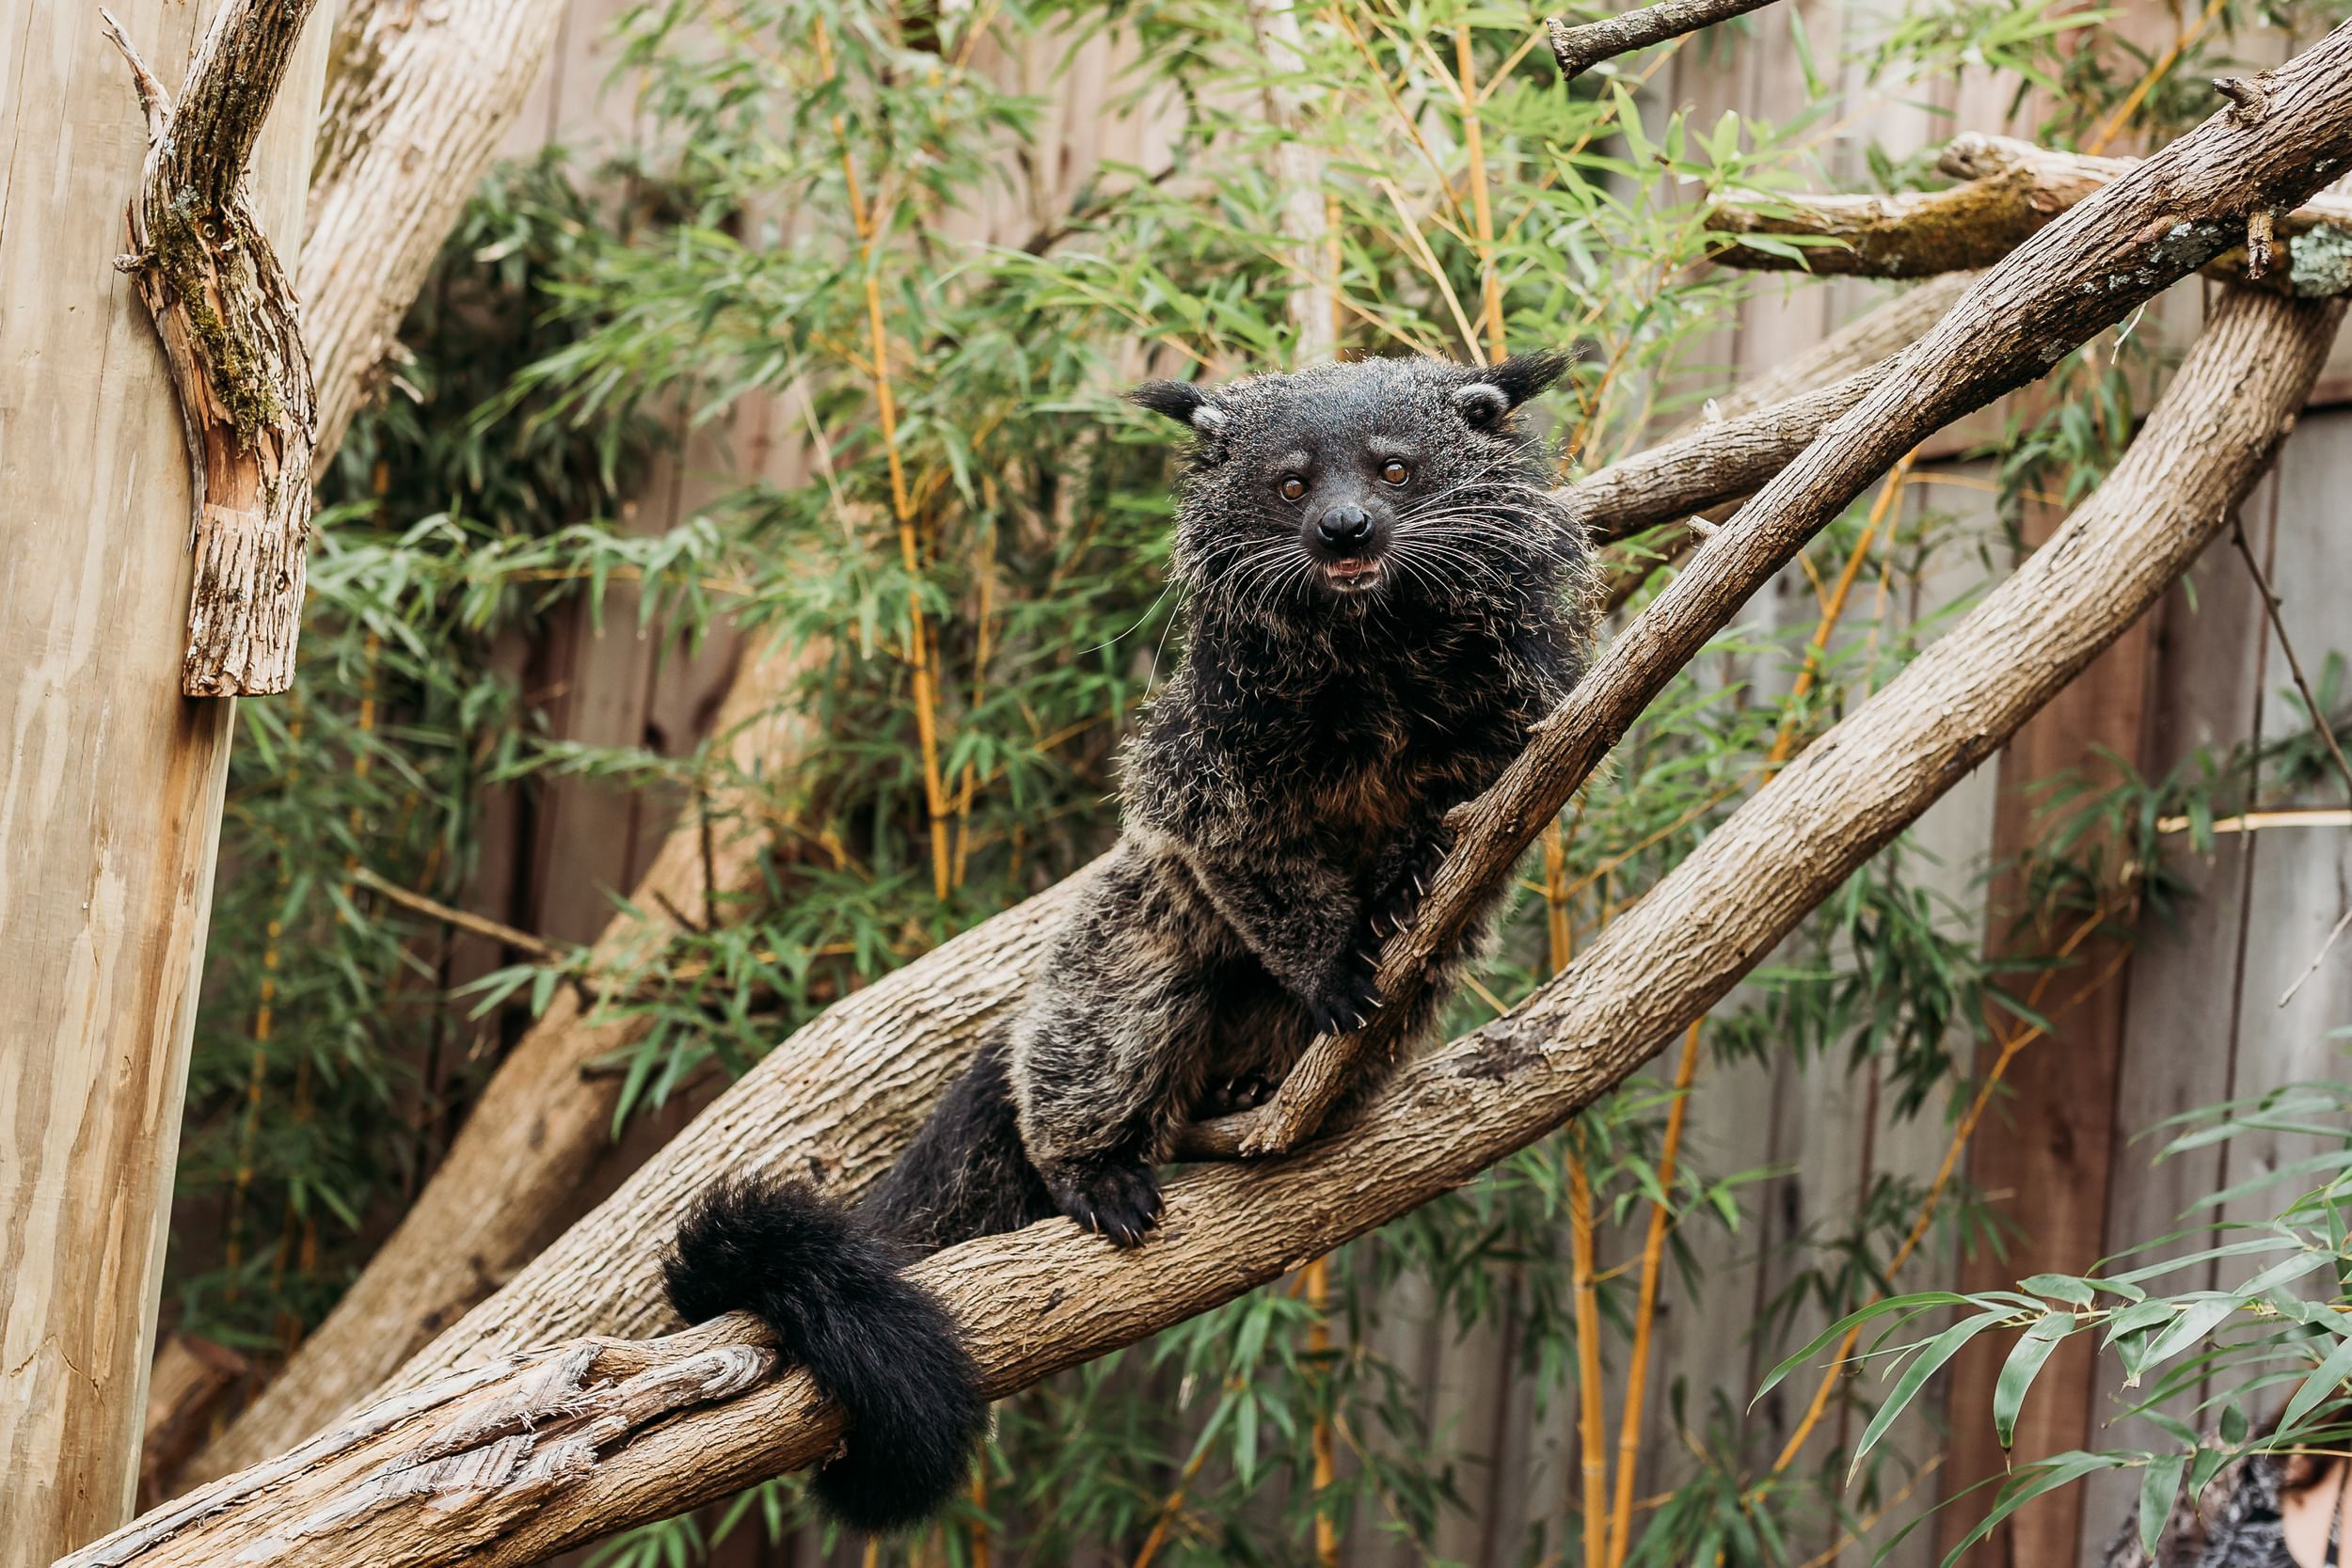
(112, 789)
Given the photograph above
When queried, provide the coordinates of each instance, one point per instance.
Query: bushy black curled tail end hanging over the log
(874, 1341)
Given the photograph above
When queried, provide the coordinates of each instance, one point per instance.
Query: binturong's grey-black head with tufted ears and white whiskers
(1375, 483)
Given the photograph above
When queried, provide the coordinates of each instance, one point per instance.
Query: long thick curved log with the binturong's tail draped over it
(521, 1459)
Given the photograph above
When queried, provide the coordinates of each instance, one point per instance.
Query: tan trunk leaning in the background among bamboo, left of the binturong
(542, 1118)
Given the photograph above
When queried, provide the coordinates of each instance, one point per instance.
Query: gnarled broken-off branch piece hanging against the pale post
(225, 311)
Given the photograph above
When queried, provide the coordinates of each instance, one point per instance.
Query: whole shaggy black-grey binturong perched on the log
(1382, 596)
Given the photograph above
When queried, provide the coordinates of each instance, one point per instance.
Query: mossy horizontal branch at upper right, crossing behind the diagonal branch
(2012, 189)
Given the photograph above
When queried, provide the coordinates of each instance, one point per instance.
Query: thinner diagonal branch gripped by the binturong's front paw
(2092, 267)
